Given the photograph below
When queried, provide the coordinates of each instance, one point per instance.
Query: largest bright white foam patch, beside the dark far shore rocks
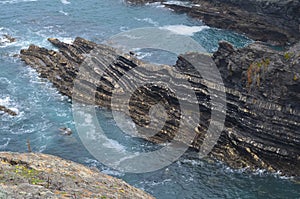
(184, 30)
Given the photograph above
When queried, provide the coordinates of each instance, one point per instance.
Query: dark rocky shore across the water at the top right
(276, 22)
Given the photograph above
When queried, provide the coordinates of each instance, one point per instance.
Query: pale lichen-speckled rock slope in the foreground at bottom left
(31, 175)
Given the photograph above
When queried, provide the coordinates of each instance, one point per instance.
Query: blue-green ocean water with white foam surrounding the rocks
(42, 110)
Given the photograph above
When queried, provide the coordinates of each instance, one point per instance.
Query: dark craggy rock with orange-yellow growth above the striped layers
(261, 71)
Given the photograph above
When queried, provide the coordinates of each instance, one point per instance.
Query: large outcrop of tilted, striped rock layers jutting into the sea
(262, 121)
